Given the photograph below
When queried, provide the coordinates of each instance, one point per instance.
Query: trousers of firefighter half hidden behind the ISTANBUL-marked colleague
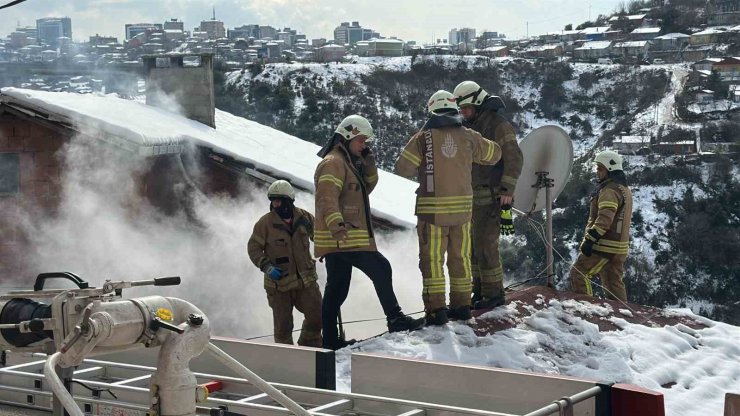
(488, 272)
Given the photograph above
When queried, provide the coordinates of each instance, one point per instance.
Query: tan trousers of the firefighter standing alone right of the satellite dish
(609, 267)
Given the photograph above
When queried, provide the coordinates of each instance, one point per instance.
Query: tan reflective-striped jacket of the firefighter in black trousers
(342, 202)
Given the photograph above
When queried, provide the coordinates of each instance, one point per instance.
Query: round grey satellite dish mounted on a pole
(546, 149)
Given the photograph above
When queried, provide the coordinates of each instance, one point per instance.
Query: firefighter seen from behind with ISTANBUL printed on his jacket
(441, 156)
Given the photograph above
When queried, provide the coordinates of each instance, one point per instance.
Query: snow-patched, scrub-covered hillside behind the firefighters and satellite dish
(675, 196)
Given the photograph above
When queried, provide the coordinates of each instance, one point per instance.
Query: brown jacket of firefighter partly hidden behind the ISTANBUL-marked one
(490, 181)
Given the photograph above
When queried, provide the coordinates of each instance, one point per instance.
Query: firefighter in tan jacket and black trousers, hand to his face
(344, 180)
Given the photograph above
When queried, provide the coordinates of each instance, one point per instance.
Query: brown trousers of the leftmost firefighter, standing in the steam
(308, 301)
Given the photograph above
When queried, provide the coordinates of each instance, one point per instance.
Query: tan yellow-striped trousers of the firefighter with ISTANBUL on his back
(434, 242)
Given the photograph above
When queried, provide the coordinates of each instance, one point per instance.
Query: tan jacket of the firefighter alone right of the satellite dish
(610, 216)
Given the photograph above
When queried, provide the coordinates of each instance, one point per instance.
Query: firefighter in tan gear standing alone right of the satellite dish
(606, 243)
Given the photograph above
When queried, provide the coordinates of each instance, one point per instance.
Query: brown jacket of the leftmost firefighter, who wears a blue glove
(275, 242)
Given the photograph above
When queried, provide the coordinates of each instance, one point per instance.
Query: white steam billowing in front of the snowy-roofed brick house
(104, 230)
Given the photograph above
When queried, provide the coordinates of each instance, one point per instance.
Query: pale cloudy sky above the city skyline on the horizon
(420, 20)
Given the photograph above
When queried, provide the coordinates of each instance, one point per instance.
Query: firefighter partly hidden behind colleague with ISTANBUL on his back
(493, 191)
